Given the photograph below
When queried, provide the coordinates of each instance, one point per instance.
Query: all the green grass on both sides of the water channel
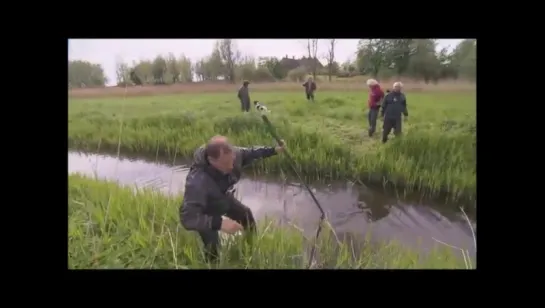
(115, 227)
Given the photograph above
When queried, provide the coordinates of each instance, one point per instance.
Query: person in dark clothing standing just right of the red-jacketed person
(394, 105)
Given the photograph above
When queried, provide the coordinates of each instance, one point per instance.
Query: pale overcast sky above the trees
(107, 51)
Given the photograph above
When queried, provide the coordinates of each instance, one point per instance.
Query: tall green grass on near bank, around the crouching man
(114, 227)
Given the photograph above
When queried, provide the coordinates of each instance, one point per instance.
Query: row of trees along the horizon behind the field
(416, 58)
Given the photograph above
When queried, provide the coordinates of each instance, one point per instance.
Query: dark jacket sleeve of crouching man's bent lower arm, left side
(192, 214)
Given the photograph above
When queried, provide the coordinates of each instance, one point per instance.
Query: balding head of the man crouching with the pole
(220, 154)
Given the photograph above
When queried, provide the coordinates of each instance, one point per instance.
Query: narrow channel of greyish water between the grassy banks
(352, 210)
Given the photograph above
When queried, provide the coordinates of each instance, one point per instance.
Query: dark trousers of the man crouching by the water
(237, 212)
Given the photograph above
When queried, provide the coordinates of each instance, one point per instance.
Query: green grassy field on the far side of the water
(328, 140)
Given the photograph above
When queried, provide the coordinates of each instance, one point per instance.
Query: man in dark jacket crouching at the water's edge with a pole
(209, 192)
